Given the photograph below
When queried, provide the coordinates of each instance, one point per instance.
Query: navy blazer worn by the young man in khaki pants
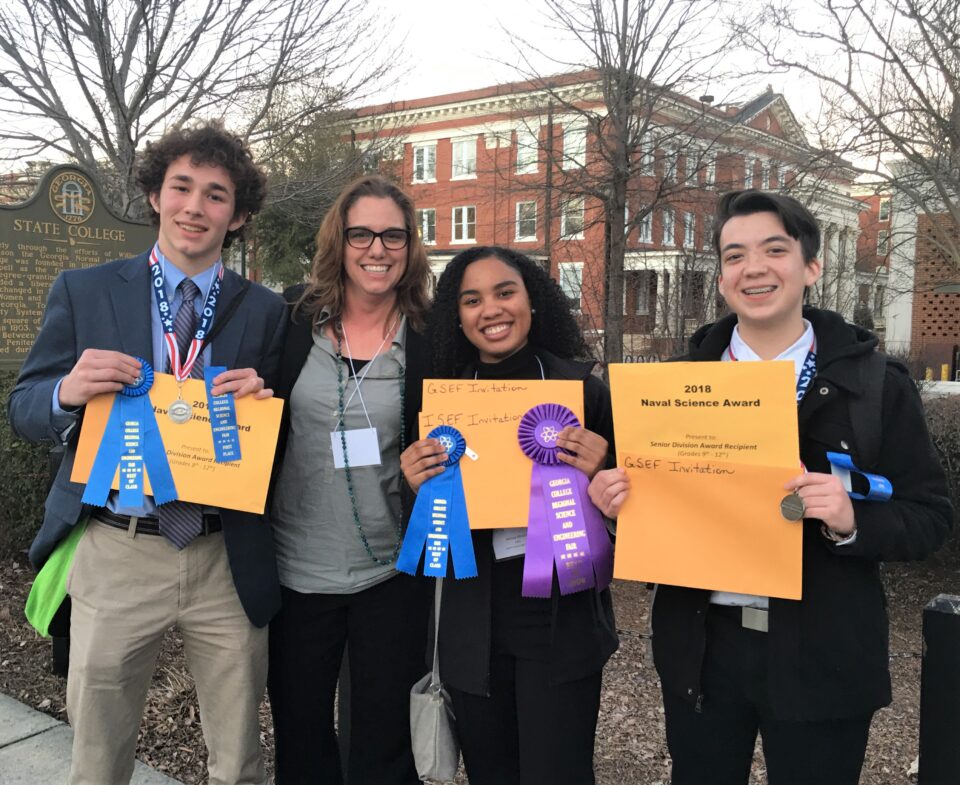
(108, 307)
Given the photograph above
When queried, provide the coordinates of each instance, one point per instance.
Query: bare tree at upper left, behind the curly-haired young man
(91, 80)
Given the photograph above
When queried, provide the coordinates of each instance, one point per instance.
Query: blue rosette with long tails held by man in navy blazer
(132, 440)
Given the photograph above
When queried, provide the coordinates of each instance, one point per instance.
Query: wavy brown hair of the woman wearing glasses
(325, 288)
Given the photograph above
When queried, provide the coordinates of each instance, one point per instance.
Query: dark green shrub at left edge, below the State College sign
(23, 481)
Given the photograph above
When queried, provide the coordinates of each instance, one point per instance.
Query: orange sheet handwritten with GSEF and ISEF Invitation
(496, 482)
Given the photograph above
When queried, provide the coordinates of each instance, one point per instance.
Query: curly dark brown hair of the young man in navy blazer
(206, 143)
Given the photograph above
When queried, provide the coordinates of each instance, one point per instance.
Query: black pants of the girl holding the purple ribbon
(528, 732)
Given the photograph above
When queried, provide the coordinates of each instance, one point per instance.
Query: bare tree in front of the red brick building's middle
(645, 55)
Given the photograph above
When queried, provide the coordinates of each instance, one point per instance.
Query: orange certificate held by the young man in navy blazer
(238, 485)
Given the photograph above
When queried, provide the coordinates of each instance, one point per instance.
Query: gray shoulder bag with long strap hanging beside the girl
(433, 734)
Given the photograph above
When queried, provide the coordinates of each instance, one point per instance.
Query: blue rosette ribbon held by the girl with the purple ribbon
(439, 520)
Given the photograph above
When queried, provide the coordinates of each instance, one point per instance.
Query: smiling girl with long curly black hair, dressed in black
(523, 673)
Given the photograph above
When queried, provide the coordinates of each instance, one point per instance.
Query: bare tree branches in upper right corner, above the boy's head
(889, 72)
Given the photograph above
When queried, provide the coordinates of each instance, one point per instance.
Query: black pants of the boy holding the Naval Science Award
(715, 746)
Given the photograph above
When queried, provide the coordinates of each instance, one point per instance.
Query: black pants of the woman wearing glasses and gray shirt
(386, 628)
